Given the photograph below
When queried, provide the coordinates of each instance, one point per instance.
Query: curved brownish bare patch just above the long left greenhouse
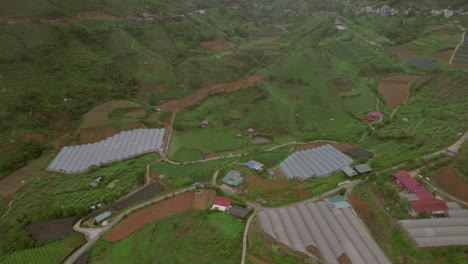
(98, 116)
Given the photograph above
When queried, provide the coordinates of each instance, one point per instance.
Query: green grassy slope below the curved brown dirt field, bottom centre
(191, 237)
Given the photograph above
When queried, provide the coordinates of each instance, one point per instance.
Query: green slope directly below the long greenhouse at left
(57, 195)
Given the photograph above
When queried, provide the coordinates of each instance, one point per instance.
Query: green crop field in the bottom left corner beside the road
(52, 252)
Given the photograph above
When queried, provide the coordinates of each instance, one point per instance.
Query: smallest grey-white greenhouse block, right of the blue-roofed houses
(317, 162)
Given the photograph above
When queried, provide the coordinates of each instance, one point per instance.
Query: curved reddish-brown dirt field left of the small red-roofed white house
(175, 205)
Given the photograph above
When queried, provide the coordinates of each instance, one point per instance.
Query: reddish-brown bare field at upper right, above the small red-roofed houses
(395, 88)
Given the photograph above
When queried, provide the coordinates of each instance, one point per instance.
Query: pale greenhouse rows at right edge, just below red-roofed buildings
(439, 232)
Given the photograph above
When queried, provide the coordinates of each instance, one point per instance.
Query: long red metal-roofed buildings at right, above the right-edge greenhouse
(427, 201)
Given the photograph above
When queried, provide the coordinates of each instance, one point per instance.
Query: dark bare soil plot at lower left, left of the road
(51, 229)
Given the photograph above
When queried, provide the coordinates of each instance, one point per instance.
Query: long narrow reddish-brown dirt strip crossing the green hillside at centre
(180, 104)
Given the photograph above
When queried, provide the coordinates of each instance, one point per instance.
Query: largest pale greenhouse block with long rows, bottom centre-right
(320, 230)
